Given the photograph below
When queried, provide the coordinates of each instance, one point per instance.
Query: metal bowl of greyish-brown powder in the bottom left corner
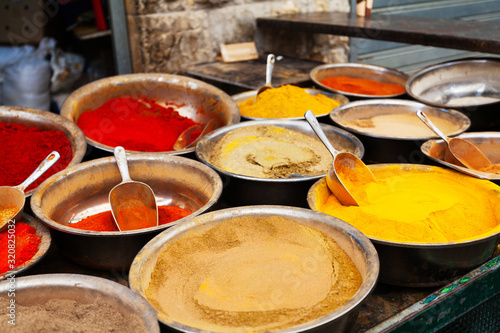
(73, 302)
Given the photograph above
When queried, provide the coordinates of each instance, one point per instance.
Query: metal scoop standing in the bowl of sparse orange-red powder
(133, 204)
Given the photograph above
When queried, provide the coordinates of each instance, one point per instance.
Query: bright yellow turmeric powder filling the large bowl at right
(412, 205)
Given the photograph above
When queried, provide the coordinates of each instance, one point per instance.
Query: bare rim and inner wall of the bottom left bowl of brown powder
(38, 289)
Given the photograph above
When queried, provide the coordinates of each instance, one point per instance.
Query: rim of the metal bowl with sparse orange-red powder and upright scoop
(45, 187)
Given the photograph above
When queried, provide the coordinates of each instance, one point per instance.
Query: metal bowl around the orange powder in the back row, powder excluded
(358, 70)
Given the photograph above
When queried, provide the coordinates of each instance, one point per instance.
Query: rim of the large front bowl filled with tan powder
(369, 252)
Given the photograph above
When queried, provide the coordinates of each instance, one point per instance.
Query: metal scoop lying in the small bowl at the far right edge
(464, 152)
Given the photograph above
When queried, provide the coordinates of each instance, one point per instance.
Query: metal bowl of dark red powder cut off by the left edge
(27, 136)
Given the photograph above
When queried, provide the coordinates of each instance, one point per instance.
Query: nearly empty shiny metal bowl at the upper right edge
(470, 86)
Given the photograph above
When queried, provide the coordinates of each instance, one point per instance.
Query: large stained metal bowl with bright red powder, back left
(146, 112)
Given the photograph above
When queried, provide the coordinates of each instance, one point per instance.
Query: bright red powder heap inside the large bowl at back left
(136, 124)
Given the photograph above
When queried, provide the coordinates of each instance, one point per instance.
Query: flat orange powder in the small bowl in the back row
(362, 86)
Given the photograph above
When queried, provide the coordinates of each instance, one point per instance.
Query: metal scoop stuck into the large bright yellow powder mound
(346, 171)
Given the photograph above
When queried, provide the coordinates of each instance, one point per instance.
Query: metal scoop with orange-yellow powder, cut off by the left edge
(14, 195)
